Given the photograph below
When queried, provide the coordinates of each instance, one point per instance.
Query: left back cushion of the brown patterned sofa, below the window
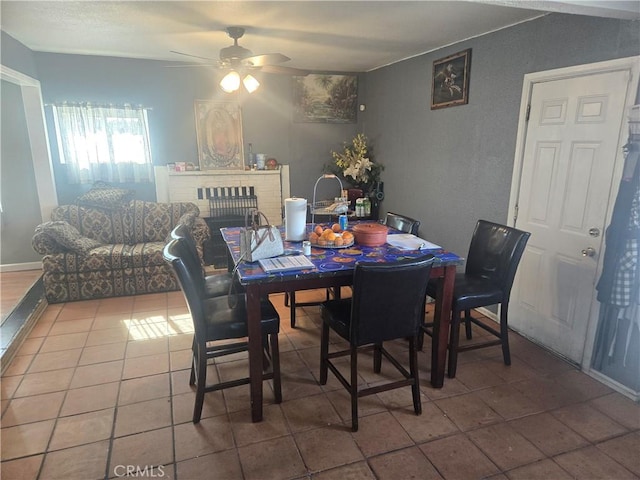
(106, 226)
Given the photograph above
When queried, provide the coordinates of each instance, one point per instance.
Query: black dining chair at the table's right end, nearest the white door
(494, 254)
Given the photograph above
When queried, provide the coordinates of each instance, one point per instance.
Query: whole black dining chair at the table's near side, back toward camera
(387, 304)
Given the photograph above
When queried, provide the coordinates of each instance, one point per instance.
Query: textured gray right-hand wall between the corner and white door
(451, 167)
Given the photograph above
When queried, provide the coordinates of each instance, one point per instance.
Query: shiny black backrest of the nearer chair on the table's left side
(177, 253)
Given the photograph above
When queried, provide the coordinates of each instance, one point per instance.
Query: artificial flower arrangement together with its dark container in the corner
(356, 165)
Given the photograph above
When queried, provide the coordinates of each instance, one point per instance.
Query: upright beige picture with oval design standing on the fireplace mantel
(219, 134)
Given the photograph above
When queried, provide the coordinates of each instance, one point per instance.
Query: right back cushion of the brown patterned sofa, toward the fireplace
(153, 221)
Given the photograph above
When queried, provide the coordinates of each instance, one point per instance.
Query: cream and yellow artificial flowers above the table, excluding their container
(355, 164)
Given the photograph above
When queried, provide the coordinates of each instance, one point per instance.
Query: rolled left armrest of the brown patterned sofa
(61, 237)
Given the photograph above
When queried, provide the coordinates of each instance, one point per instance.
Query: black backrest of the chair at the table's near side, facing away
(388, 299)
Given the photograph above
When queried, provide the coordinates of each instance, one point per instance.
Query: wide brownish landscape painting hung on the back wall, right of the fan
(320, 98)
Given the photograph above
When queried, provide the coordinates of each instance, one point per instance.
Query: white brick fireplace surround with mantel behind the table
(270, 186)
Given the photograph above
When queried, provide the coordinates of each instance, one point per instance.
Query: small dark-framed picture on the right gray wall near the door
(450, 80)
